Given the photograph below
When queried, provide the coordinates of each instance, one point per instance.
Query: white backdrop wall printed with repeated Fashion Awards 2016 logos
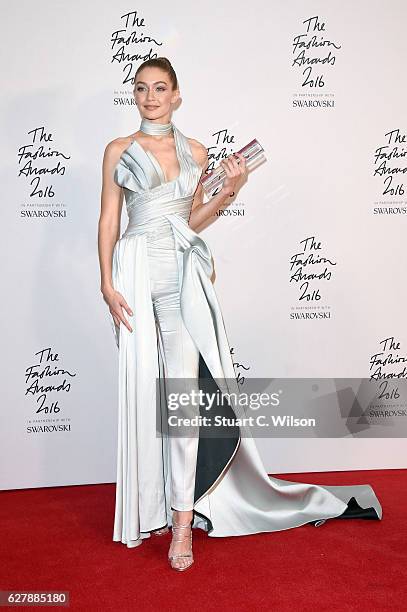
(310, 257)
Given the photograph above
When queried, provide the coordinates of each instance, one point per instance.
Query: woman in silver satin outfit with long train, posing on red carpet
(156, 280)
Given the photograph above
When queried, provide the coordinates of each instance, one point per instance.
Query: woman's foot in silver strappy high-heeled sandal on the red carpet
(180, 553)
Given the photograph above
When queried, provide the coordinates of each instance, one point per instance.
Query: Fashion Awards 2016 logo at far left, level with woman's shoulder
(41, 165)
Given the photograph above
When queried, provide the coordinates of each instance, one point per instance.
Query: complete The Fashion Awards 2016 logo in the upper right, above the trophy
(313, 59)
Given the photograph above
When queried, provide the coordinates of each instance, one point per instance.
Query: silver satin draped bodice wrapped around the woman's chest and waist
(148, 196)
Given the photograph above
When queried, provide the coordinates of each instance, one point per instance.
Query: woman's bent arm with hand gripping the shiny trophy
(200, 212)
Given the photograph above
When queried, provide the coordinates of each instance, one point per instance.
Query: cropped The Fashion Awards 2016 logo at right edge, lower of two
(388, 366)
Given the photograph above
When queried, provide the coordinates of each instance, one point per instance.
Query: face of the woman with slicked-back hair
(153, 93)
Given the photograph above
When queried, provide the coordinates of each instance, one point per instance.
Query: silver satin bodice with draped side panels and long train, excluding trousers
(234, 495)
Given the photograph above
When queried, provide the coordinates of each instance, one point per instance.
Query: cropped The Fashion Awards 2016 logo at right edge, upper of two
(389, 169)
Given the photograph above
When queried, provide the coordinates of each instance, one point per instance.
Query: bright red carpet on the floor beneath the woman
(60, 539)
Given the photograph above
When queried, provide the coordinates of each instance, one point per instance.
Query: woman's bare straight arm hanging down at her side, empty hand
(109, 231)
